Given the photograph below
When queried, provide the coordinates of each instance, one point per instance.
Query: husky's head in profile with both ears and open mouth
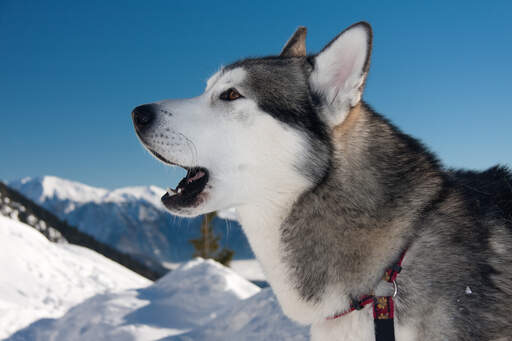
(262, 128)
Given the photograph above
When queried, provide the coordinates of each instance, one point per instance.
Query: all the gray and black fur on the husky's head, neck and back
(377, 192)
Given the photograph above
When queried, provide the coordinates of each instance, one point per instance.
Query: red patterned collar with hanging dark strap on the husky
(383, 306)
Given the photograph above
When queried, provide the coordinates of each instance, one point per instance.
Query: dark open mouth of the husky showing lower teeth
(188, 191)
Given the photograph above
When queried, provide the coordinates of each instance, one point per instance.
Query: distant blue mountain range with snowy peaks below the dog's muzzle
(132, 219)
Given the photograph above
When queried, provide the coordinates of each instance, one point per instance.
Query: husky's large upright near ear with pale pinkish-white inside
(340, 71)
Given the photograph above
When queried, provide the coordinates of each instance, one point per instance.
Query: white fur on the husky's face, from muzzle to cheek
(258, 153)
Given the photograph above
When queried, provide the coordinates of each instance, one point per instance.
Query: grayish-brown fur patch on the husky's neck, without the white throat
(365, 203)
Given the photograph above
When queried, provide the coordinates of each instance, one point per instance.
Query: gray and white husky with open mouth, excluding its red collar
(330, 194)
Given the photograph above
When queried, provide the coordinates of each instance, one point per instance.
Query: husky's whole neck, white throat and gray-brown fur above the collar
(332, 243)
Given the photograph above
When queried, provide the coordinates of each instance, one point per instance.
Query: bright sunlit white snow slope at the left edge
(44, 279)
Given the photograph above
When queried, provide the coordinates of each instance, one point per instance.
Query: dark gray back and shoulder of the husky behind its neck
(466, 259)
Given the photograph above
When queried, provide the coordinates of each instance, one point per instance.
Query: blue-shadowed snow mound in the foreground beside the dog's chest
(201, 300)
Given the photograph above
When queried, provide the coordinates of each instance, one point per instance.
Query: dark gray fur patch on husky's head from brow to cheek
(280, 87)
